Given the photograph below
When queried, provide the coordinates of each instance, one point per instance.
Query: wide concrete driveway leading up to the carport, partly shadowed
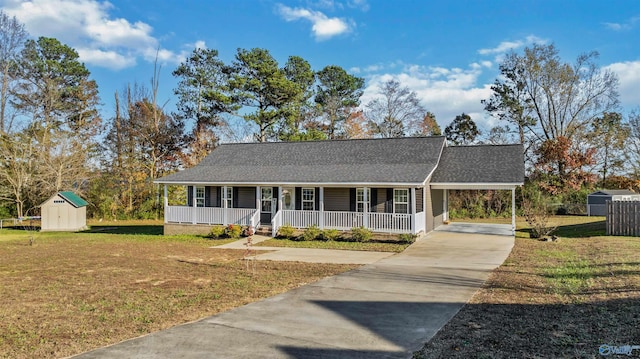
(386, 309)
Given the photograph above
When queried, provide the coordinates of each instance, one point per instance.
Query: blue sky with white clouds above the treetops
(448, 52)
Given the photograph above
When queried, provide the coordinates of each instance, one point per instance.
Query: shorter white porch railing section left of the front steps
(211, 215)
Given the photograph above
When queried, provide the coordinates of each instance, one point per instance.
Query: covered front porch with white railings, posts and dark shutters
(380, 209)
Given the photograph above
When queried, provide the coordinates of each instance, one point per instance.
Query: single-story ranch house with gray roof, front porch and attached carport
(394, 185)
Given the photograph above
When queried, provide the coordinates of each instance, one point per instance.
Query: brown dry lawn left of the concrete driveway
(70, 293)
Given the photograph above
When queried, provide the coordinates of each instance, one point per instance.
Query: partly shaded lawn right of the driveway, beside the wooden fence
(552, 300)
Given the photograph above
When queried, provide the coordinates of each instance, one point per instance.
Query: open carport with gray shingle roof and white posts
(476, 168)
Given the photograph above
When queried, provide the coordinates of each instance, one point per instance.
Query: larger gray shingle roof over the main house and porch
(394, 160)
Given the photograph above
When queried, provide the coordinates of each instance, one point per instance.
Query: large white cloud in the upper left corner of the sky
(86, 26)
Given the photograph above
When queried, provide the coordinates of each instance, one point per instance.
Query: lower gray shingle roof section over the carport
(481, 164)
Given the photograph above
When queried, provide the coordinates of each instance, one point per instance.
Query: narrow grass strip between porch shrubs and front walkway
(353, 246)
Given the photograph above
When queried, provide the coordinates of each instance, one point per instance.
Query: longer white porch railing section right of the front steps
(377, 222)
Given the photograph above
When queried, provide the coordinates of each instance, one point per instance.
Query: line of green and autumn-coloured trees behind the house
(52, 136)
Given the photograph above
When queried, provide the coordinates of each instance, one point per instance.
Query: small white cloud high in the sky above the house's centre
(322, 26)
